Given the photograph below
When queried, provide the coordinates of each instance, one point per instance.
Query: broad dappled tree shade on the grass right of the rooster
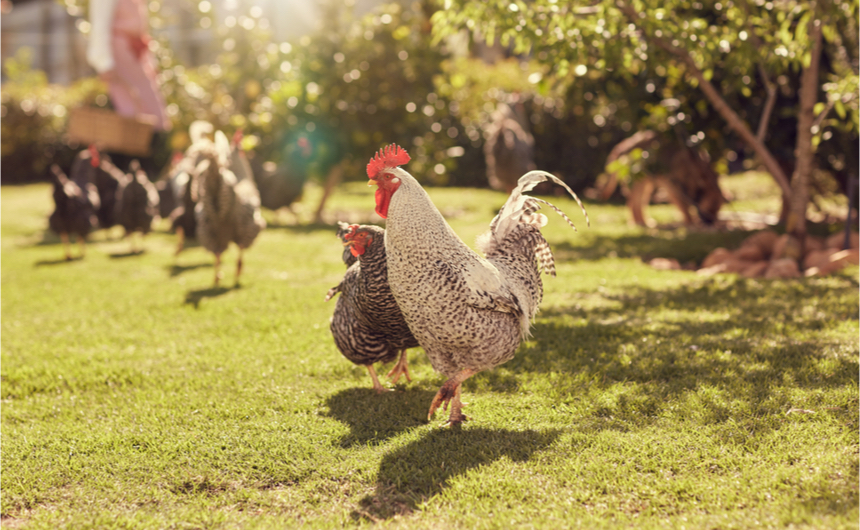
(728, 347)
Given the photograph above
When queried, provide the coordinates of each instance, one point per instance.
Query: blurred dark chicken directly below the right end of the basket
(137, 203)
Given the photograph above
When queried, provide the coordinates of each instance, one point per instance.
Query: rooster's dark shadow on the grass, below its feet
(422, 469)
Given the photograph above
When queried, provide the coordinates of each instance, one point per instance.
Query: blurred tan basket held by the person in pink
(110, 131)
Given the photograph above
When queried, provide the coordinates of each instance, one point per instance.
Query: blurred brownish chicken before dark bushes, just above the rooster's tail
(509, 148)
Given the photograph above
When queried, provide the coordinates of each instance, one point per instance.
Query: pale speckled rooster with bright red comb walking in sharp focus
(468, 312)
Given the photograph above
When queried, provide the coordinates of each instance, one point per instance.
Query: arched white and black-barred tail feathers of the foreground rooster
(522, 210)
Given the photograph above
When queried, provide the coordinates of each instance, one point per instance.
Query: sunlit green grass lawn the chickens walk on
(134, 395)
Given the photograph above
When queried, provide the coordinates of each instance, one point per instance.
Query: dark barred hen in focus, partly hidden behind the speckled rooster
(367, 324)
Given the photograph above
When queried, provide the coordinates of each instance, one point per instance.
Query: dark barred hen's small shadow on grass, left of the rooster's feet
(372, 416)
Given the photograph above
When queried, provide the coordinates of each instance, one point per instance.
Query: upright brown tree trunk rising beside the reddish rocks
(804, 152)
